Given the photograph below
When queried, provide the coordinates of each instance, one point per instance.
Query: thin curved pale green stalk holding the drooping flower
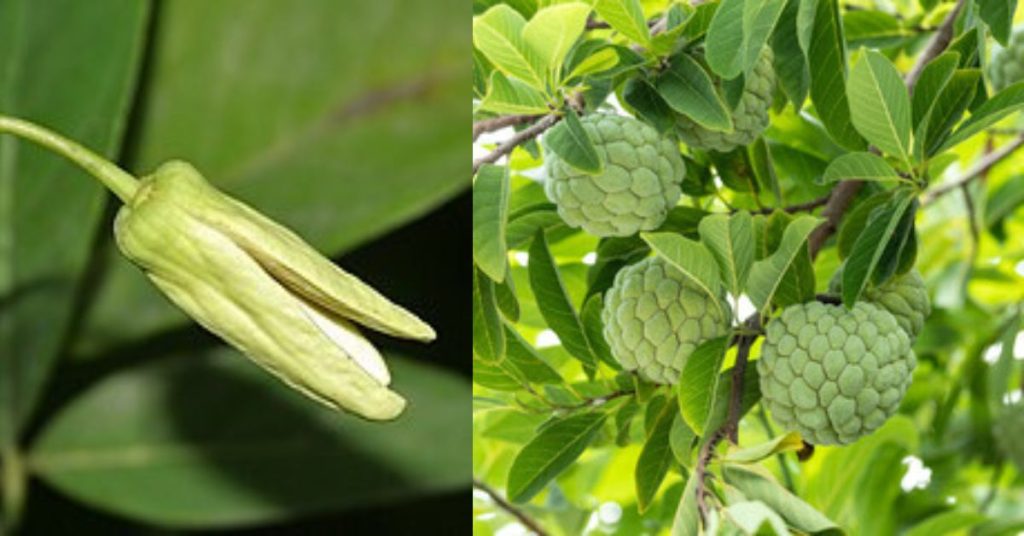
(116, 180)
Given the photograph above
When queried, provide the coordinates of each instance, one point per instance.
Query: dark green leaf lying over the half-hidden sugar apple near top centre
(689, 90)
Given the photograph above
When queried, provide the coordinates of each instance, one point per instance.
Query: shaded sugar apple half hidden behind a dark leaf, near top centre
(750, 117)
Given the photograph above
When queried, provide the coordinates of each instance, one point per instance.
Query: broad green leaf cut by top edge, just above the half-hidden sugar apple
(738, 33)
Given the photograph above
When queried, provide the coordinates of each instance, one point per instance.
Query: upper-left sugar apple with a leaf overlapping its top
(638, 187)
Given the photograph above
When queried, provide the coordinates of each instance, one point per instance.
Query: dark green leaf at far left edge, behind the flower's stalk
(70, 66)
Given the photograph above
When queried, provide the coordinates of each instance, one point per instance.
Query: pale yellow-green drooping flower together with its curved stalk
(252, 282)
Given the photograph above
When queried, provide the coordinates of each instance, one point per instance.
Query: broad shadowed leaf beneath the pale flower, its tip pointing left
(214, 441)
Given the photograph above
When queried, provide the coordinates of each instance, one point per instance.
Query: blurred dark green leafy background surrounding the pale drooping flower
(346, 121)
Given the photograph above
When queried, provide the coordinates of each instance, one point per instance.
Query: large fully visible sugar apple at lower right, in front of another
(834, 375)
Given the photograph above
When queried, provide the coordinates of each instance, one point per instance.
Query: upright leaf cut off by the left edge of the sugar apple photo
(491, 199)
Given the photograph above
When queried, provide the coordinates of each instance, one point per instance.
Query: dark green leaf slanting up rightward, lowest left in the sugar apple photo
(554, 449)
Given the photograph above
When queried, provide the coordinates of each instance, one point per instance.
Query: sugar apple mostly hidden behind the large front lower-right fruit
(905, 296)
